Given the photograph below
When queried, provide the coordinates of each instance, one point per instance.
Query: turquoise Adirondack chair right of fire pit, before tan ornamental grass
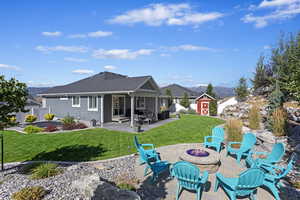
(247, 143)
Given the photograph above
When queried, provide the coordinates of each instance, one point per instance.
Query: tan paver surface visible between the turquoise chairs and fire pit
(165, 188)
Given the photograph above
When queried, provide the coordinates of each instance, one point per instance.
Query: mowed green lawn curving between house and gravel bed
(97, 144)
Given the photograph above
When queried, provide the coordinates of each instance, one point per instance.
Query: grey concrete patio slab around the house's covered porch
(126, 125)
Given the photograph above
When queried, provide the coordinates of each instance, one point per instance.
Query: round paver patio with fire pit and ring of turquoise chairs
(184, 171)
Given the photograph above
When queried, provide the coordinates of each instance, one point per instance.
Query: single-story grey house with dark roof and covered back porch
(104, 97)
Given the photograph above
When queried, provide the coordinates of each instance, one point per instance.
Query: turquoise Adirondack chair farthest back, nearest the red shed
(217, 138)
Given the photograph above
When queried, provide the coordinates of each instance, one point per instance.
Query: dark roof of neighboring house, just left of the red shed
(178, 91)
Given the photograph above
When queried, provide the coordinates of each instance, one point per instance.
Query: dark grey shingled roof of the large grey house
(102, 82)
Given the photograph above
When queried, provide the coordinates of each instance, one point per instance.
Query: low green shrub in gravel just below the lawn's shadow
(45, 170)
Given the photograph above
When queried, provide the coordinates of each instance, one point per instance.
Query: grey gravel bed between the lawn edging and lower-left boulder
(59, 187)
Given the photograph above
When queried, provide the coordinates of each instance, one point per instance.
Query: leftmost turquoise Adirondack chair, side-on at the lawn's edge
(149, 153)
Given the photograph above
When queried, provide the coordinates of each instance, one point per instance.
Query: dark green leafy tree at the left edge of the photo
(13, 97)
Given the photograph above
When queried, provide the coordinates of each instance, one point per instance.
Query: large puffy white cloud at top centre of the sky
(169, 14)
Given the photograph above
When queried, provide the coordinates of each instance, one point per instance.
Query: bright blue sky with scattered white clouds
(46, 43)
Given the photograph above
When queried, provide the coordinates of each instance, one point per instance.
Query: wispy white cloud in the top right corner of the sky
(284, 9)
